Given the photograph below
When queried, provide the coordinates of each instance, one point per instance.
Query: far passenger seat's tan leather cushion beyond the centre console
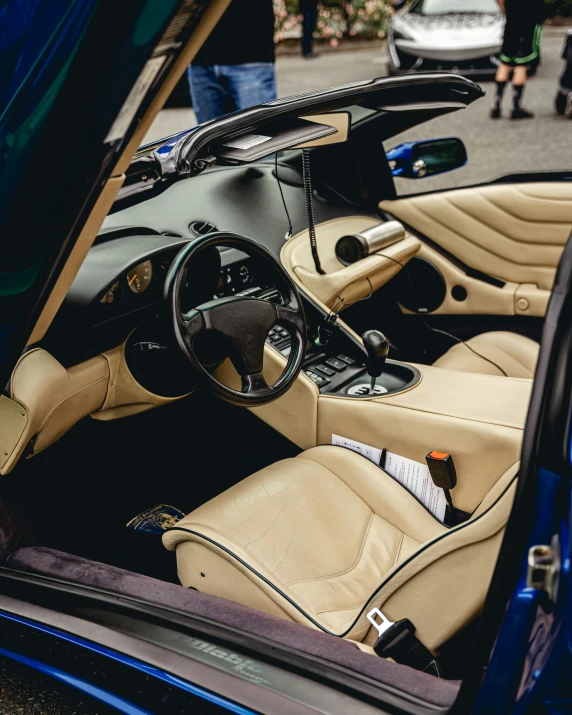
(495, 353)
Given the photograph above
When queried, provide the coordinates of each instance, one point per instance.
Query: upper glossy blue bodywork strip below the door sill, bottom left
(133, 663)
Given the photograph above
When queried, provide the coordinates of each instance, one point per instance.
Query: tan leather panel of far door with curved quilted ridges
(513, 232)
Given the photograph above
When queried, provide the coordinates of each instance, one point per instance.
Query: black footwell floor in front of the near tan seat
(101, 474)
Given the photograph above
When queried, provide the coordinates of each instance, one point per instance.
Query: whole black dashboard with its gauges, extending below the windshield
(120, 284)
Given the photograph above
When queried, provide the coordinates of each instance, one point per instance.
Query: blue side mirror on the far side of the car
(417, 160)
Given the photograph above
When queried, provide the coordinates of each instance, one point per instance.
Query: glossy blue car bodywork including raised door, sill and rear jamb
(62, 152)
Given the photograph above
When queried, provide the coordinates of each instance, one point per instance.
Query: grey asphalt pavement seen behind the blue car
(495, 148)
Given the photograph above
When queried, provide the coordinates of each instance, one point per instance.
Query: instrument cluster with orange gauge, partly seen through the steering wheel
(120, 286)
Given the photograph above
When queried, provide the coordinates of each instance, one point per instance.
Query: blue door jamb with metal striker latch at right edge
(522, 656)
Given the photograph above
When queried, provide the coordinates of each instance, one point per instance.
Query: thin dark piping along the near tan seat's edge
(287, 598)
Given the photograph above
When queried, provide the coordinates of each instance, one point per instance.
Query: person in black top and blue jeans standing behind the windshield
(234, 69)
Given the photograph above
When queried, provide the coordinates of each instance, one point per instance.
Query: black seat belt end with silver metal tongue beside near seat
(398, 641)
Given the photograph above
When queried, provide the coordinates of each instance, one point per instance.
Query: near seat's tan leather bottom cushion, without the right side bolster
(323, 528)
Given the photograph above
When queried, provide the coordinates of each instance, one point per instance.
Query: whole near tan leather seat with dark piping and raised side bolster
(322, 538)
